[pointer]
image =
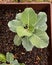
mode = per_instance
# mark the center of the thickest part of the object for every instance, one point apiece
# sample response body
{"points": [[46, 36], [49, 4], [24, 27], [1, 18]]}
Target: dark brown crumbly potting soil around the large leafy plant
{"points": [[34, 57]]}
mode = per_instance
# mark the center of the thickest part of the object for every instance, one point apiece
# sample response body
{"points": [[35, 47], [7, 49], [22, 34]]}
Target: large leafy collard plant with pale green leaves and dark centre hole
{"points": [[30, 29]]}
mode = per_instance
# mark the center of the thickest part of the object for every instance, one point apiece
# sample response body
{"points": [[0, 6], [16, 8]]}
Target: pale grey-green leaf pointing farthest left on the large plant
{"points": [[13, 25]]}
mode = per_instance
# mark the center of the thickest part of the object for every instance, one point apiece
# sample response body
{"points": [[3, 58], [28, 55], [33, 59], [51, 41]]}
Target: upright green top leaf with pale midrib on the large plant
{"points": [[29, 17]]}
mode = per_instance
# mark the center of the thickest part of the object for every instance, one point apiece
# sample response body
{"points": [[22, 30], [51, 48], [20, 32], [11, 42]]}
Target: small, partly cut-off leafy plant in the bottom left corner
{"points": [[9, 58]]}
